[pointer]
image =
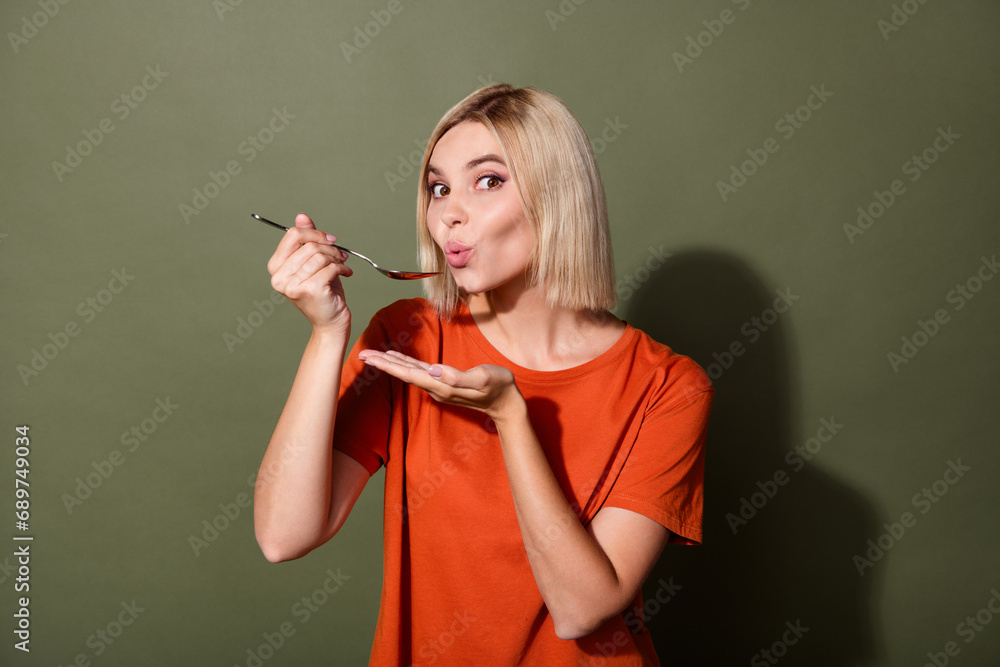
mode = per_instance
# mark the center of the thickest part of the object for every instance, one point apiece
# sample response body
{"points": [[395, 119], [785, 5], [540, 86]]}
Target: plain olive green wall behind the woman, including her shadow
{"points": [[667, 132]]}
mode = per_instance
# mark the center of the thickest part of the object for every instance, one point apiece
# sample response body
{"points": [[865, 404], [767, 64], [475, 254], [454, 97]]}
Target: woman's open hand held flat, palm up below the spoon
{"points": [[487, 388]]}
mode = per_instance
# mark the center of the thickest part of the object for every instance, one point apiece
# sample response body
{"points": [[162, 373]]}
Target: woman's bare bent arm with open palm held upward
{"points": [[585, 575]]}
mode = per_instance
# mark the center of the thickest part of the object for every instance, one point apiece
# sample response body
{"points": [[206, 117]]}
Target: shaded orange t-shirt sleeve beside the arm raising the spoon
{"points": [[364, 408]]}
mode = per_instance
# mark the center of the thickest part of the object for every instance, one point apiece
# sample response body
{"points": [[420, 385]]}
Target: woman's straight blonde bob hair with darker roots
{"points": [[551, 162]]}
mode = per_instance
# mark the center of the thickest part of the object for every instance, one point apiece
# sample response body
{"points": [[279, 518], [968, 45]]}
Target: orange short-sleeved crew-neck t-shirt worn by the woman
{"points": [[625, 429]]}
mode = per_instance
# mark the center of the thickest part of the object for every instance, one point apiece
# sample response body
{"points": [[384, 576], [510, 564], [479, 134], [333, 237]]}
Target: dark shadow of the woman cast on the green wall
{"points": [[775, 572]]}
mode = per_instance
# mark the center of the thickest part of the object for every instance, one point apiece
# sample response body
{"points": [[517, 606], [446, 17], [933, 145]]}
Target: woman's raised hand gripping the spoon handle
{"points": [[306, 268]]}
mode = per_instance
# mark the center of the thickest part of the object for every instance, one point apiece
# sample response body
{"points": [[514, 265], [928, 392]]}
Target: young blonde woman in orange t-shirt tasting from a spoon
{"points": [[539, 452]]}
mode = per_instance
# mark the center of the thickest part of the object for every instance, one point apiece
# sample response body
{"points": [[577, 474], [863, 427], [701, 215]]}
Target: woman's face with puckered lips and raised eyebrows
{"points": [[474, 215]]}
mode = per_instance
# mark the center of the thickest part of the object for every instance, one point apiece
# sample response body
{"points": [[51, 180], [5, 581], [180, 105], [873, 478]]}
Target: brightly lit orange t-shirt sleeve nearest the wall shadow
{"points": [[663, 477]]}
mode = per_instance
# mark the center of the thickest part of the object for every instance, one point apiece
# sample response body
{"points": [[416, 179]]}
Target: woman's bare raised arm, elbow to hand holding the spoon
{"points": [[305, 490]]}
